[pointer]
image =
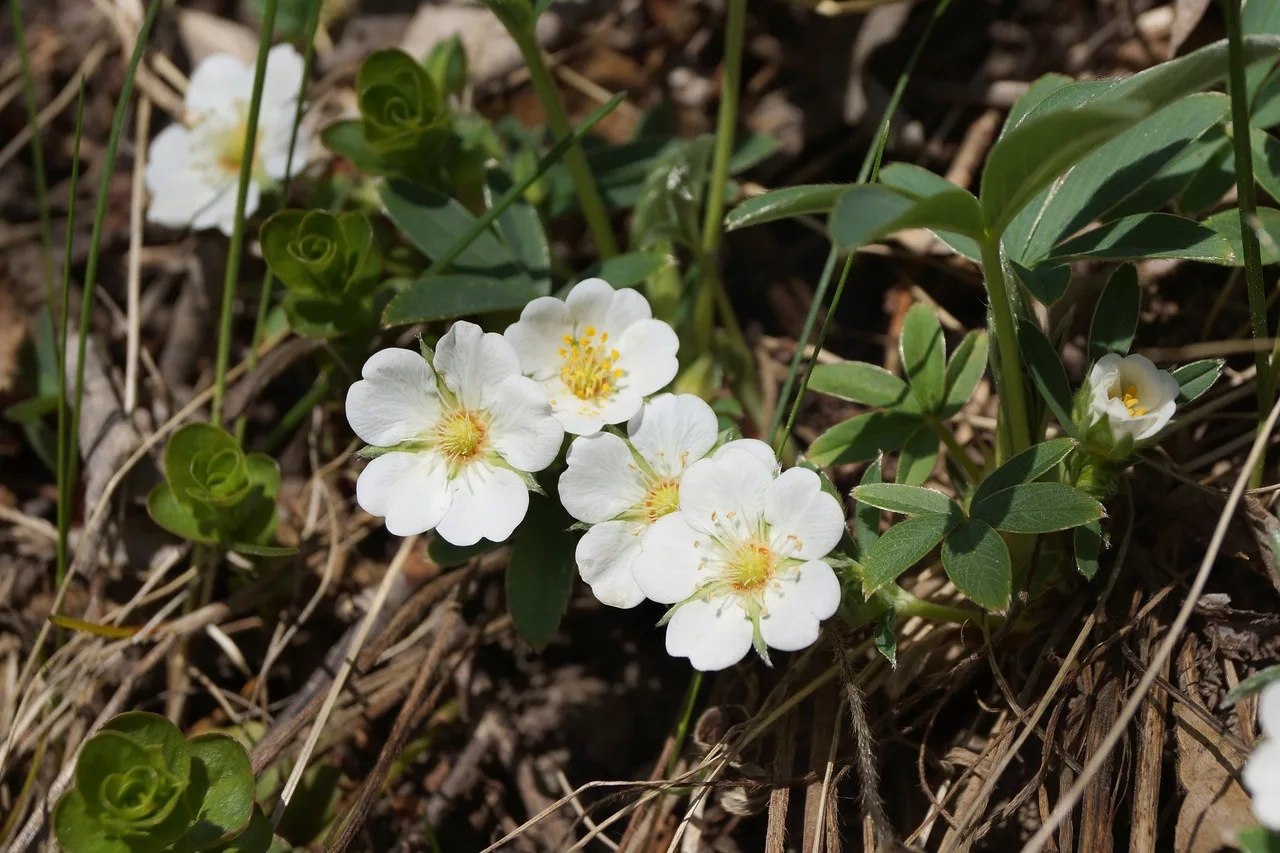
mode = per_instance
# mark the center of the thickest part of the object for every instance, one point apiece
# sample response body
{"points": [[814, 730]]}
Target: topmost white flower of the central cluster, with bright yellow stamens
{"points": [[598, 354]]}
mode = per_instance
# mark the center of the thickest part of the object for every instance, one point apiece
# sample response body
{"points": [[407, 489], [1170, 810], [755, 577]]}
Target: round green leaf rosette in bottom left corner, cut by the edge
{"points": [[140, 787]]}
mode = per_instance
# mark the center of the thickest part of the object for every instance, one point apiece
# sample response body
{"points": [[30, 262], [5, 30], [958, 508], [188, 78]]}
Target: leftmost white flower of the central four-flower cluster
{"points": [[465, 436]]}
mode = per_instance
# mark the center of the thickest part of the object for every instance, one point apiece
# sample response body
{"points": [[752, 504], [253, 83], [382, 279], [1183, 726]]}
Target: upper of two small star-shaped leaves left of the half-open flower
{"points": [[908, 413]]}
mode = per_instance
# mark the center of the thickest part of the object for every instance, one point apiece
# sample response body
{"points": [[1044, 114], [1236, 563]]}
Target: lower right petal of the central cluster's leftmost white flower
{"points": [[488, 504]]}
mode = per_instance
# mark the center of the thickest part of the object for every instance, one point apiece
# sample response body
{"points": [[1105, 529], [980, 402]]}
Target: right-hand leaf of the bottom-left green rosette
{"points": [[221, 792]]}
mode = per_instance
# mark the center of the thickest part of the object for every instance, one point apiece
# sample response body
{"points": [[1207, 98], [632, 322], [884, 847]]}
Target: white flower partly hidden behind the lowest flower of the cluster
{"points": [[621, 487]]}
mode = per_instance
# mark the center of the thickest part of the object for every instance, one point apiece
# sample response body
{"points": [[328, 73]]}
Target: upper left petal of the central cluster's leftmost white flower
{"points": [[396, 402]]}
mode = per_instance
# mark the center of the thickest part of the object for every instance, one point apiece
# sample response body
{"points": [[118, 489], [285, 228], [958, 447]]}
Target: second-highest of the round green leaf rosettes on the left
{"points": [[330, 267]]}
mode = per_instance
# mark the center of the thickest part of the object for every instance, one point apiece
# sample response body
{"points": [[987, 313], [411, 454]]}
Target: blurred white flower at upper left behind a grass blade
{"points": [[194, 171]]}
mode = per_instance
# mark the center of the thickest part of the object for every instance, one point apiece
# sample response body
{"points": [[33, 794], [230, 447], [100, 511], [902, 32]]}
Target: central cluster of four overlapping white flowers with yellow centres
{"points": [[674, 512]]}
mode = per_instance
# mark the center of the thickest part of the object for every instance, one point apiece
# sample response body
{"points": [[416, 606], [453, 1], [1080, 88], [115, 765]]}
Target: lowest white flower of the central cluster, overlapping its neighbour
{"points": [[743, 559]]}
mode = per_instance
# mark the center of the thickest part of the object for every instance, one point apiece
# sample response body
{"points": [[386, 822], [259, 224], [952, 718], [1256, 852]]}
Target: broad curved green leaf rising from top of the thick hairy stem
{"points": [[1043, 148]]}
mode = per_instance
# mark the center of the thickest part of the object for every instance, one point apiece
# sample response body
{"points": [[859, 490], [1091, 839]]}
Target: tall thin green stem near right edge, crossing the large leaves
{"points": [[1247, 206]]}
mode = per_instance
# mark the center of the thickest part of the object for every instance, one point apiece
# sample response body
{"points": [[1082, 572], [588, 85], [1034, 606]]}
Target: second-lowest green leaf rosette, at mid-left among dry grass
{"points": [[217, 494]]}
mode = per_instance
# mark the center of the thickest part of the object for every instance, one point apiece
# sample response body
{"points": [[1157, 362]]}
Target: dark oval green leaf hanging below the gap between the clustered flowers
{"points": [[541, 572]]}
